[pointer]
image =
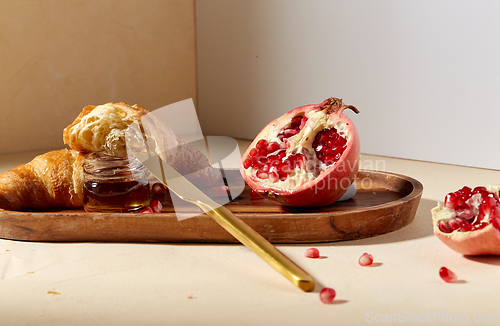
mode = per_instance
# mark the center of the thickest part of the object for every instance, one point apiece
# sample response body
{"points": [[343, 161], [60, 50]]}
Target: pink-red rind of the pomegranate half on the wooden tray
{"points": [[331, 184]]}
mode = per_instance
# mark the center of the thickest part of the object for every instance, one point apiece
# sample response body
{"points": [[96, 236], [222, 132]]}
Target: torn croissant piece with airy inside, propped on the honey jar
{"points": [[103, 128]]}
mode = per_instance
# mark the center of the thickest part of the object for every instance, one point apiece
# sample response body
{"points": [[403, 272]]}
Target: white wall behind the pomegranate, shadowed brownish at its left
{"points": [[424, 74]]}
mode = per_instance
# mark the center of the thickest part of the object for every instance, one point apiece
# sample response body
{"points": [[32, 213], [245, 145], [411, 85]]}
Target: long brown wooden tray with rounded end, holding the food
{"points": [[385, 202]]}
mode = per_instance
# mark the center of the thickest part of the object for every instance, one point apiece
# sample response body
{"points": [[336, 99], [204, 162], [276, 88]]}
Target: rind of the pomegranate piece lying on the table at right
{"points": [[485, 241]]}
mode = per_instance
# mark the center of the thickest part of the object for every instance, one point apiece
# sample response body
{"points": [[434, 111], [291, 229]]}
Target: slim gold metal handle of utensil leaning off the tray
{"points": [[258, 244]]}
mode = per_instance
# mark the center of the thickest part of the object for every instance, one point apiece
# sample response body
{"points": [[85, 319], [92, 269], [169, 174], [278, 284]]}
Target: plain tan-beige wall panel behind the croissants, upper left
{"points": [[58, 56]]}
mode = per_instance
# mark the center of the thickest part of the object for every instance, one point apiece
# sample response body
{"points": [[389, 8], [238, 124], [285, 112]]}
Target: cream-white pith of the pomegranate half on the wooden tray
{"points": [[317, 121]]}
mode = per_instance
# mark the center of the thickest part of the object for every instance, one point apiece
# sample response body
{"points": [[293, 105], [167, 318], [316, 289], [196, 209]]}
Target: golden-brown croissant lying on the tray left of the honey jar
{"points": [[53, 179]]}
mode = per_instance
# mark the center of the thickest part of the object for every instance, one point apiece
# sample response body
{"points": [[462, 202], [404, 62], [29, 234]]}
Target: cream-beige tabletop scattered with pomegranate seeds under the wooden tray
{"points": [[210, 284]]}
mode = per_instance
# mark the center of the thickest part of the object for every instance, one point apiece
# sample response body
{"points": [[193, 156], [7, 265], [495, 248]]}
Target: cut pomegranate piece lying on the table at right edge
{"points": [[469, 220]]}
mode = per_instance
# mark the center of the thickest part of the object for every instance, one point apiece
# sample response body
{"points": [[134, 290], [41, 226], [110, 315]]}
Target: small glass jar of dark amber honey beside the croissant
{"points": [[114, 184]]}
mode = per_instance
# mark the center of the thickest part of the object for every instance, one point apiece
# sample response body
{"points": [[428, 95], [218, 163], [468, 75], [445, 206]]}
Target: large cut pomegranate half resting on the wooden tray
{"points": [[307, 157]]}
